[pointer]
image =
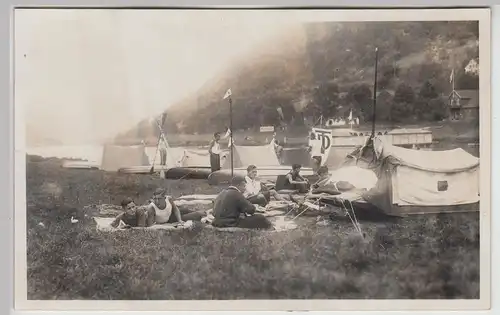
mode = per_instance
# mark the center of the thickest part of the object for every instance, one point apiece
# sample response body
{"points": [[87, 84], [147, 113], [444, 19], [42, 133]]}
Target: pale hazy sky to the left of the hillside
{"points": [[85, 75]]}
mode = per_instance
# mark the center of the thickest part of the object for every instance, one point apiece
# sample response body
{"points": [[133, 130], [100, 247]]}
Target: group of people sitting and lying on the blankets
{"points": [[235, 206]]}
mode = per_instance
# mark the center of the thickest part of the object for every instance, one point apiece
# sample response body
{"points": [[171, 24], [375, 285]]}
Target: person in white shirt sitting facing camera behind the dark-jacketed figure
{"points": [[255, 191]]}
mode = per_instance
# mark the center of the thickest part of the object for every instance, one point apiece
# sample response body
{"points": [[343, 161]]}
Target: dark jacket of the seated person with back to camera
{"points": [[228, 207]]}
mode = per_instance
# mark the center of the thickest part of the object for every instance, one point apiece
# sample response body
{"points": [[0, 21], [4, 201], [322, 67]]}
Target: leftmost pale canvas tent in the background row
{"points": [[115, 157]]}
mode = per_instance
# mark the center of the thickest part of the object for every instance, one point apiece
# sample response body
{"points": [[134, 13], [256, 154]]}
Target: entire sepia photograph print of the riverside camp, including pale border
{"points": [[249, 154]]}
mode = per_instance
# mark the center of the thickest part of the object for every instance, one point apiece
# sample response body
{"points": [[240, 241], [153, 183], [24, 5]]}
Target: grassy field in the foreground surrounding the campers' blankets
{"points": [[421, 257]]}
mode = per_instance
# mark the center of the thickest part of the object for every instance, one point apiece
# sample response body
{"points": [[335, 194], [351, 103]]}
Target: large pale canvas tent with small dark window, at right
{"points": [[417, 181]]}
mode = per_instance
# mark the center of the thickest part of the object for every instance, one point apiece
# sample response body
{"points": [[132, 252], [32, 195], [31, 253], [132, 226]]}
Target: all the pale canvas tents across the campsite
{"points": [[408, 181]]}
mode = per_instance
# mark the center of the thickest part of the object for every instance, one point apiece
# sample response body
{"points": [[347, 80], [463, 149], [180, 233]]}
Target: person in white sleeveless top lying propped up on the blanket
{"points": [[166, 211]]}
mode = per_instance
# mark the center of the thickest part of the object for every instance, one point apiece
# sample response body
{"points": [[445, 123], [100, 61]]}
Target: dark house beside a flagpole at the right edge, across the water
{"points": [[464, 104]]}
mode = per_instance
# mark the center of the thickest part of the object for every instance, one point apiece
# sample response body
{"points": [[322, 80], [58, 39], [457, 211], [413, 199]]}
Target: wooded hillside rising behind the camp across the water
{"points": [[328, 68]]}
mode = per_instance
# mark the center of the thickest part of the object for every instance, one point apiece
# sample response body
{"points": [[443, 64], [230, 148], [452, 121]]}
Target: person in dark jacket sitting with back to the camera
{"points": [[231, 209]]}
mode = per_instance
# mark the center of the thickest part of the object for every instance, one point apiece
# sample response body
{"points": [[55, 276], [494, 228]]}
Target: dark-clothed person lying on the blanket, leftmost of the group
{"points": [[134, 216]]}
